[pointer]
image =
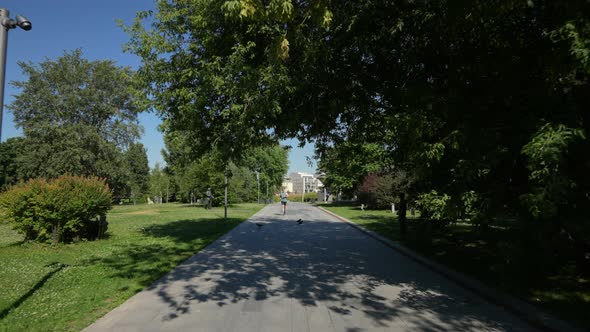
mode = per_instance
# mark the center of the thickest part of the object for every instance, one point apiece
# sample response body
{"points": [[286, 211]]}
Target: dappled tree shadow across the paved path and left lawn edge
{"points": [[318, 263]]}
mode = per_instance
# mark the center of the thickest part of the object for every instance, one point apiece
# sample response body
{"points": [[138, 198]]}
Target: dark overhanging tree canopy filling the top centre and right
{"points": [[479, 104]]}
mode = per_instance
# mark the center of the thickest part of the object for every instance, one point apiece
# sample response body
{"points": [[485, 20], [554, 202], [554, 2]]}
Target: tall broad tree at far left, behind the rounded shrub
{"points": [[77, 116]]}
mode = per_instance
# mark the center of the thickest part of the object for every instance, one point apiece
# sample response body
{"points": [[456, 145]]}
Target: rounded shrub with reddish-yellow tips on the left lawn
{"points": [[63, 209]]}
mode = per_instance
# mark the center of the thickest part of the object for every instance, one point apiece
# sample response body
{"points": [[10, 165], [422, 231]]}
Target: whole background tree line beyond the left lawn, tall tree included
{"points": [[79, 117]]}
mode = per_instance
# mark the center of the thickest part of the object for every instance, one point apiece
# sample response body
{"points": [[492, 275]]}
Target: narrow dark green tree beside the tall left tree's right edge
{"points": [[139, 170]]}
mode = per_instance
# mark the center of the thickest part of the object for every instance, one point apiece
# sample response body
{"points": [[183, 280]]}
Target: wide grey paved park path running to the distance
{"points": [[322, 275]]}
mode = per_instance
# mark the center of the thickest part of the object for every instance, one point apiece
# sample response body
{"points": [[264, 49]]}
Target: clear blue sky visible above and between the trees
{"points": [[64, 25]]}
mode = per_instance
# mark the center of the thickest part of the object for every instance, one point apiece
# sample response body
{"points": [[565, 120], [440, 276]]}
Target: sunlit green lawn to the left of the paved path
{"points": [[67, 287]]}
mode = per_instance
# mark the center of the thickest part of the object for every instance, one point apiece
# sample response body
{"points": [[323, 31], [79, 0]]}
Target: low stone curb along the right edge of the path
{"points": [[523, 310]]}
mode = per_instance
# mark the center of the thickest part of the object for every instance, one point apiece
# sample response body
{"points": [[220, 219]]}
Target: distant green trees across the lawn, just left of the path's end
{"points": [[187, 176]]}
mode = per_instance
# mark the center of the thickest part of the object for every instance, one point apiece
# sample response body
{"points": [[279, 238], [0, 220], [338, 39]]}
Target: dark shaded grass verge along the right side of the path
{"points": [[493, 256]]}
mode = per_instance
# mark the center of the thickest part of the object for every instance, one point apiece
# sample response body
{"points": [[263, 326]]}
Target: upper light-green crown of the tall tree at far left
{"points": [[74, 91]]}
